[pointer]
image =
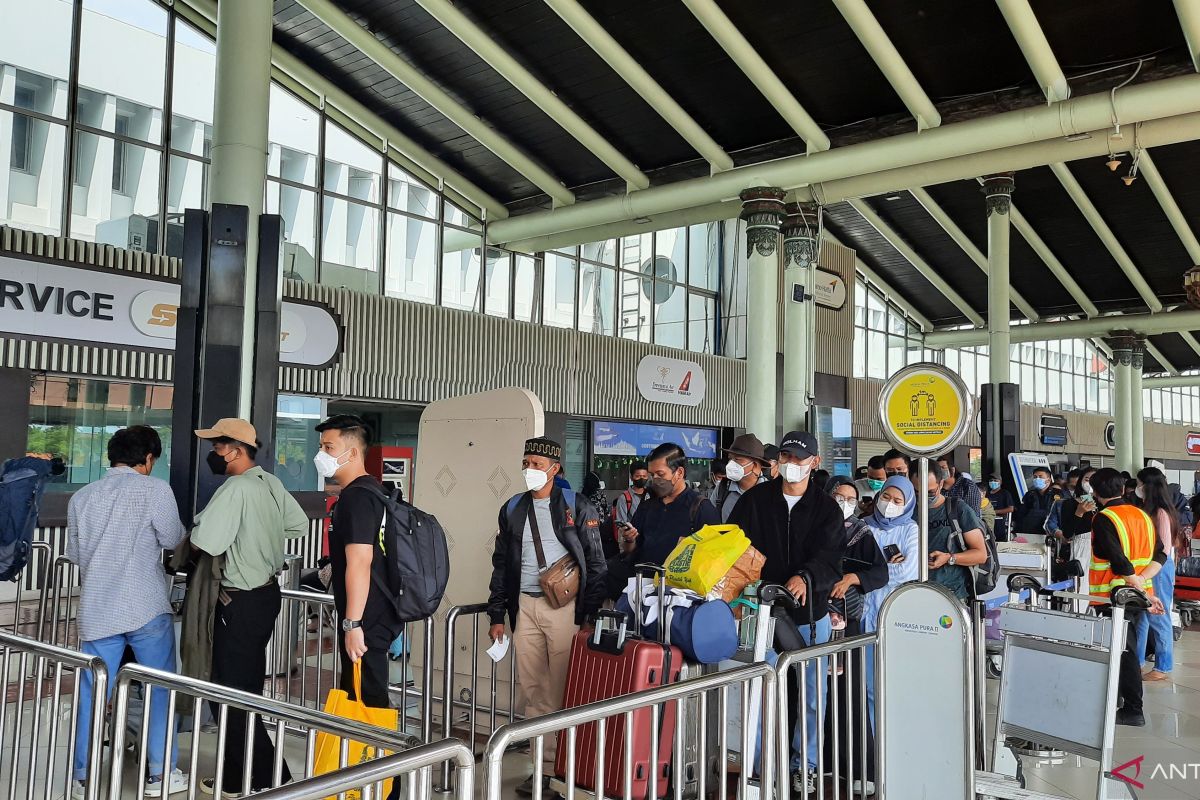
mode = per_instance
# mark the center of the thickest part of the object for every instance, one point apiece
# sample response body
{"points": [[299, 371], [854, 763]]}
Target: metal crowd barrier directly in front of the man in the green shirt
{"points": [[296, 731]]}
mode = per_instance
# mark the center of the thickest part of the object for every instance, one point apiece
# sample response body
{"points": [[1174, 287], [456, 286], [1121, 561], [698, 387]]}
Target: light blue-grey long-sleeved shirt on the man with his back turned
{"points": [[118, 528]]}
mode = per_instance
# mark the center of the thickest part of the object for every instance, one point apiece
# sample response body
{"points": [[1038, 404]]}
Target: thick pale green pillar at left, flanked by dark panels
{"points": [[238, 176]]}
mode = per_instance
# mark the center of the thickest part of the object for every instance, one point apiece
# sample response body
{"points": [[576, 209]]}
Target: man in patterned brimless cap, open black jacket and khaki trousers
{"points": [[537, 530]]}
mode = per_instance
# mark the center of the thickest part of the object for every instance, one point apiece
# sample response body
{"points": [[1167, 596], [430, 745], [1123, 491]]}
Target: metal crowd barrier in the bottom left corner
{"points": [[40, 715]]}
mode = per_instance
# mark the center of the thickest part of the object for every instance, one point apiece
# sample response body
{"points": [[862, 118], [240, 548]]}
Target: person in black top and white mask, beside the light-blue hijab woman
{"points": [[863, 573]]}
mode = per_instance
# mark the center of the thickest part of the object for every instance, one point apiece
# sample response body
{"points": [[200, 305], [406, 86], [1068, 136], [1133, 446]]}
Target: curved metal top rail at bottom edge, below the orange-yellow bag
{"points": [[381, 769]]}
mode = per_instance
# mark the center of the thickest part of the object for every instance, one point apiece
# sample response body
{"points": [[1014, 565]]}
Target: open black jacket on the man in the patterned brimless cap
{"points": [[578, 530]]}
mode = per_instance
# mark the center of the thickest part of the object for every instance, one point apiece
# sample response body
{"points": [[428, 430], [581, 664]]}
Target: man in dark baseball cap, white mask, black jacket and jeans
{"points": [[801, 532]]}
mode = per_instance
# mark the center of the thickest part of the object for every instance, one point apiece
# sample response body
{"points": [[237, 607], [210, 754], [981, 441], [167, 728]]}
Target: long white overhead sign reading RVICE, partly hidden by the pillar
{"points": [[109, 308]]}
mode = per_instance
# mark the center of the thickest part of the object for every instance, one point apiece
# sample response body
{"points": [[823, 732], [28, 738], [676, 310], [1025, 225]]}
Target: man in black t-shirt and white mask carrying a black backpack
{"points": [[359, 564]]}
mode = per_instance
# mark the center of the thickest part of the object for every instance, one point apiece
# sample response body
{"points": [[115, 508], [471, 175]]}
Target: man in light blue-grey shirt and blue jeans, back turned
{"points": [[117, 531]]}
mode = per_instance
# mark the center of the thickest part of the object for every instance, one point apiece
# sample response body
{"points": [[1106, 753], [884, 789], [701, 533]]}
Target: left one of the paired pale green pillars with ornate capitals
{"points": [[763, 209]]}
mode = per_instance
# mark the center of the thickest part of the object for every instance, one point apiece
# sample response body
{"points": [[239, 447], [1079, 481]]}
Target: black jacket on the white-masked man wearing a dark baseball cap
{"points": [[811, 539]]}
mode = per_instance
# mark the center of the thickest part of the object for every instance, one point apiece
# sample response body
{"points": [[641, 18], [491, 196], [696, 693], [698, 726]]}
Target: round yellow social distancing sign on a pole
{"points": [[926, 410]]}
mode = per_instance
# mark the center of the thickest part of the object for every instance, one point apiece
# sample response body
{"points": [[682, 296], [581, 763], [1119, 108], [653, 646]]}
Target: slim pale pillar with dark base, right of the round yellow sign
{"points": [[999, 193]]}
